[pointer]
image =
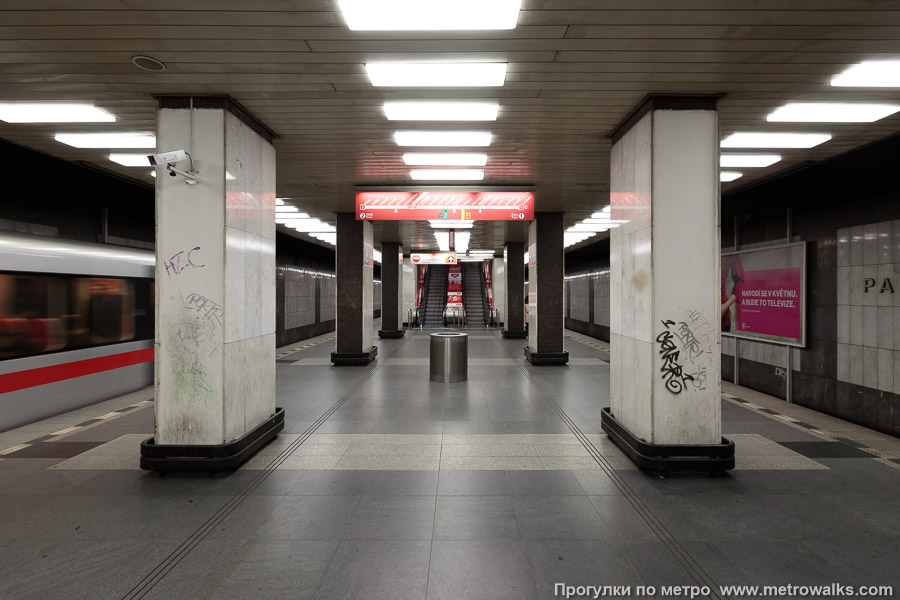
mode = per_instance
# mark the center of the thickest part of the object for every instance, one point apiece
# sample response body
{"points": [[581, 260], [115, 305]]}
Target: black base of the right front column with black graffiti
{"points": [[665, 458]]}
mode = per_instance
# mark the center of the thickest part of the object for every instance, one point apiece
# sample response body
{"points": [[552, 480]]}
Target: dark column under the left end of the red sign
{"points": [[355, 269]]}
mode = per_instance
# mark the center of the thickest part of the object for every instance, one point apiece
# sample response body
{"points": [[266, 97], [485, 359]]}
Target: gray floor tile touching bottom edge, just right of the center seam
{"points": [[493, 570]]}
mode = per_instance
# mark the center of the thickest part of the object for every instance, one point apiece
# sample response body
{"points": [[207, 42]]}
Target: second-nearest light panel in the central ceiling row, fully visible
{"points": [[436, 74]]}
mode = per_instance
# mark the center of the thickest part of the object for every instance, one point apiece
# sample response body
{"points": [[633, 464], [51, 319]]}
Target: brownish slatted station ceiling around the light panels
{"points": [[576, 68]]}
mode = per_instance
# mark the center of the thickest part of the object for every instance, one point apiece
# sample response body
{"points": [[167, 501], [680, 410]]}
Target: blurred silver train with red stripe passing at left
{"points": [[76, 325]]}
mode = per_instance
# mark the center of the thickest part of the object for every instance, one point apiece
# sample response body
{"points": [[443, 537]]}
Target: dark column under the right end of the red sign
{"points": [[546, 269]]}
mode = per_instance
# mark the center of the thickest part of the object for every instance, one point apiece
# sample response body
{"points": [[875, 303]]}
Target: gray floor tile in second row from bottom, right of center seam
{"points": [[475, 518]]}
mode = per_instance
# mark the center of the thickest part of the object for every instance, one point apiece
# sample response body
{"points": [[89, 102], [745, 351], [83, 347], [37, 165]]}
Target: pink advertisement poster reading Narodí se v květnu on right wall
{"points": [[763, 294]]}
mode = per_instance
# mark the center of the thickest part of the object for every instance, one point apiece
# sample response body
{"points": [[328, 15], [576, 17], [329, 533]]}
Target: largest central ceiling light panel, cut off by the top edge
{"points": [[398, 15]]}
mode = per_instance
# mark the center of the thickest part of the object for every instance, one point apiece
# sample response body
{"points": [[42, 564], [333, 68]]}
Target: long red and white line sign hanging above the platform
{"points": [[452, 206]]}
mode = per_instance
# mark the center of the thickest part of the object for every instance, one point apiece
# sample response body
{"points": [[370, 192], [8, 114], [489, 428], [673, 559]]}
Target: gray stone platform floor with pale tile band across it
{"points": [[411, 489]]}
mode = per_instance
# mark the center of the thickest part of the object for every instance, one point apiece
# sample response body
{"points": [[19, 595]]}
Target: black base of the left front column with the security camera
{"points": [[210, 458]]}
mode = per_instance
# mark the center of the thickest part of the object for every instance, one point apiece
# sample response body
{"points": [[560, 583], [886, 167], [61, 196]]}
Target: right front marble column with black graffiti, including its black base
{"points": [[664, 285]]}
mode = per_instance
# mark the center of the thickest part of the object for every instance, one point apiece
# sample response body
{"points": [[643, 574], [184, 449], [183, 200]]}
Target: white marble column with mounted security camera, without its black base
{"points": [[215, 275]]}
